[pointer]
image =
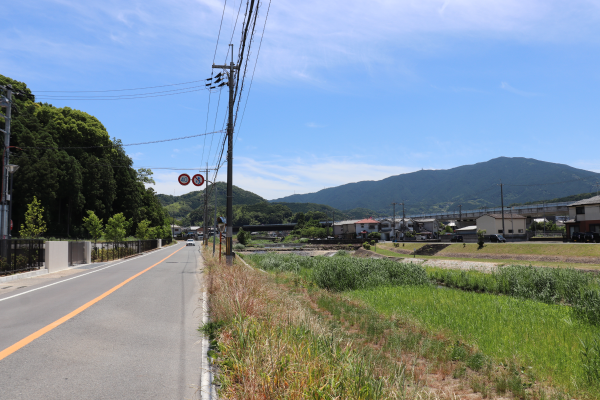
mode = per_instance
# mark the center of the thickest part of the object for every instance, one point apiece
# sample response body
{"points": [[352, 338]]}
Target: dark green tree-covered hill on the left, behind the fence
{"points": [[52, 147]]}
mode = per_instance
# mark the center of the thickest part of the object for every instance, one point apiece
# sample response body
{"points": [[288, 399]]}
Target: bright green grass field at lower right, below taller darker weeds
{"points": [[546, 339]]}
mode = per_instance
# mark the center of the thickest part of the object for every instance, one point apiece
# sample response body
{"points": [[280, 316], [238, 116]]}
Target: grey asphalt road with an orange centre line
{"points": [[139, 341]]}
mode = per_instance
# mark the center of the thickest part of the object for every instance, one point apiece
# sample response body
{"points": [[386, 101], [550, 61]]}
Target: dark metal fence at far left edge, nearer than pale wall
{"points": [[20, 255]]}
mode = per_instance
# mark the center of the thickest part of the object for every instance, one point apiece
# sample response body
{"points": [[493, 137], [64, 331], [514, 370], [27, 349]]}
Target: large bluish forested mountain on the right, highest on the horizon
{"points": [[472, 186]]}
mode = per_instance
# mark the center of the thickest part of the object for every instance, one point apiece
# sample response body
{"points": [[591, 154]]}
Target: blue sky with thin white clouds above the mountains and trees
{"points": [[343, 91]]}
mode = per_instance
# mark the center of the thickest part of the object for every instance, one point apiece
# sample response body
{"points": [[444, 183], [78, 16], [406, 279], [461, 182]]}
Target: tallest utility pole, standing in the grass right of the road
{"points": [[229, 70]]}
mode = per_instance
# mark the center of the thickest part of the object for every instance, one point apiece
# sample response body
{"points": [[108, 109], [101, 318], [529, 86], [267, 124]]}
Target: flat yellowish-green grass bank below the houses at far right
{"points": [[538, 249]]}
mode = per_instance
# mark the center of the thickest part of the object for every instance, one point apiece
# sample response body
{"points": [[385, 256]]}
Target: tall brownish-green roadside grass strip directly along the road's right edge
{"points": [[268, 343]]}
